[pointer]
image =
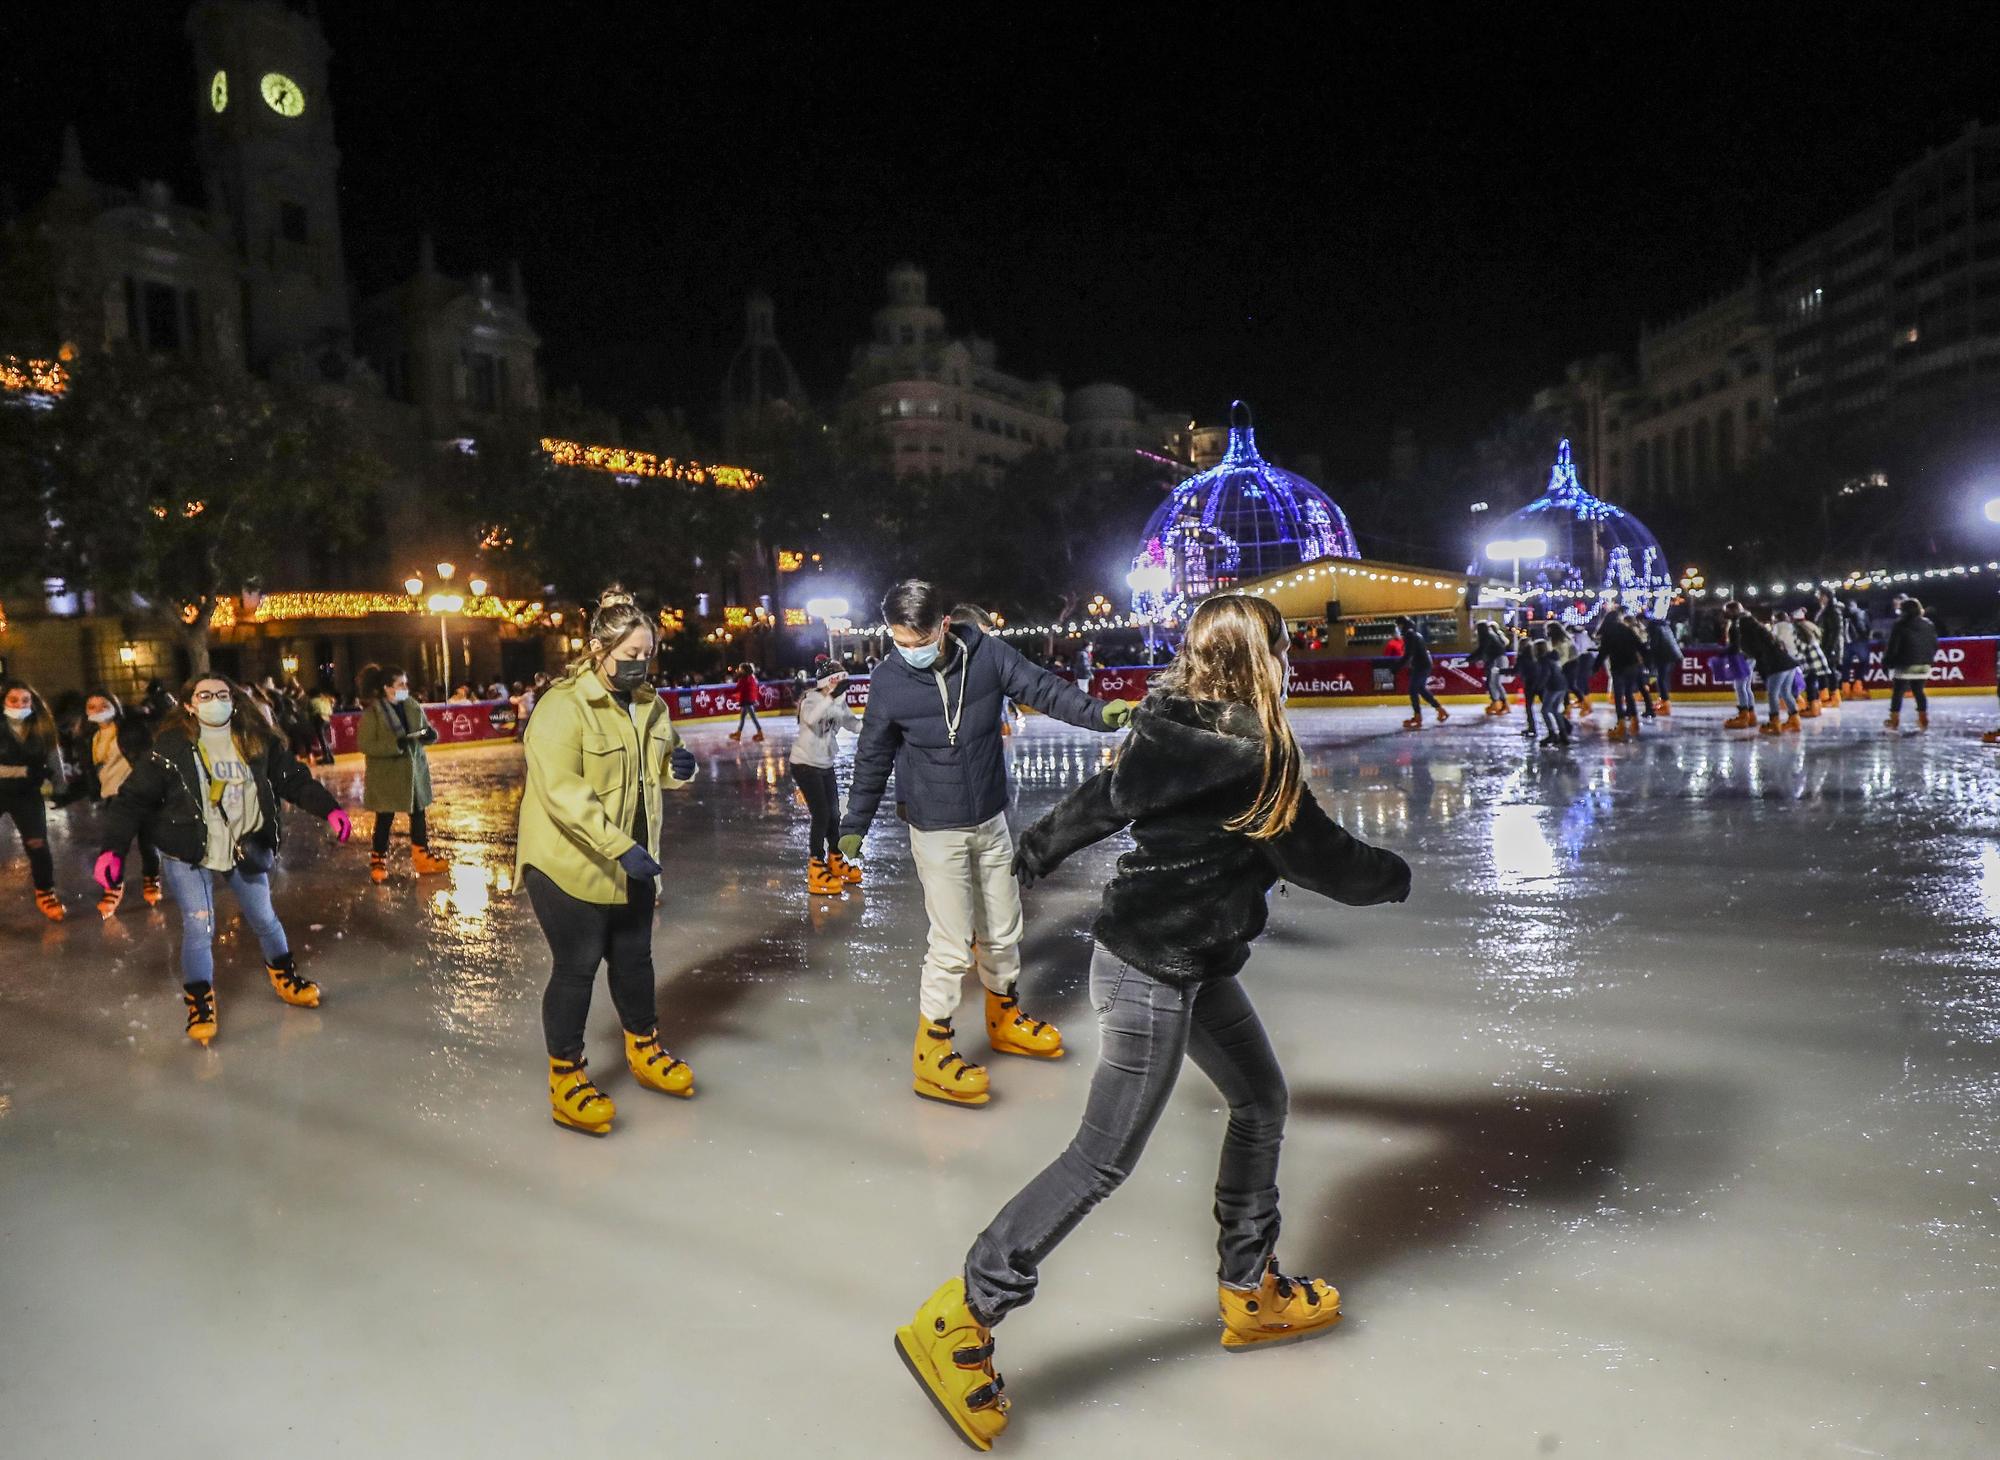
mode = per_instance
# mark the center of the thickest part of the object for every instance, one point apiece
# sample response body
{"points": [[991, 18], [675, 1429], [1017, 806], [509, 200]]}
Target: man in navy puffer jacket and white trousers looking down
{"points": [[935, 719]]}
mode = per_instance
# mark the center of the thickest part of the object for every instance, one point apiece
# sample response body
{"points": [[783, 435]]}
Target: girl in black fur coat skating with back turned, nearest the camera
{"points": [[1213, 791]]}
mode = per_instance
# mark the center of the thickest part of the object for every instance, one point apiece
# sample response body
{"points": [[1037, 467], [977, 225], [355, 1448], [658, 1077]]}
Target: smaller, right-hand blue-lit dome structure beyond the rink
{"points": [[1571, 545]]}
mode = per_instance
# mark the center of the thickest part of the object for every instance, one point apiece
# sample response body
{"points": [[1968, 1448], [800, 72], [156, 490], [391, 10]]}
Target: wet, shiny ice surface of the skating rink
{"points": [[1661, 1123]]}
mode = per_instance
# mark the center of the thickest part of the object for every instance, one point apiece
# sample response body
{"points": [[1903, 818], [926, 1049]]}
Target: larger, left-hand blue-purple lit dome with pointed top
{"points": [[1241, 519]]}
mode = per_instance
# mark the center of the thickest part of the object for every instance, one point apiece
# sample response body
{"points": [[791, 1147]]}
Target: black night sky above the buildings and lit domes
{"points": [[1353, 225]]}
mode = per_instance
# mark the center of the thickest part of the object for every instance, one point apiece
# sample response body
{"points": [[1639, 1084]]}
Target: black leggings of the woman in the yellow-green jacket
{"points": [[581, 937]]}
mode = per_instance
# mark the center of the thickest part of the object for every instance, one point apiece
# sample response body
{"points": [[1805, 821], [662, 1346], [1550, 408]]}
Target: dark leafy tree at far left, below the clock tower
{"points": [[175, 483]]}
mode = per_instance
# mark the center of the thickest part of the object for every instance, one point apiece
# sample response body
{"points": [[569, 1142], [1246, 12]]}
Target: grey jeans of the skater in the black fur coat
{"points": [[1147, 1027]]}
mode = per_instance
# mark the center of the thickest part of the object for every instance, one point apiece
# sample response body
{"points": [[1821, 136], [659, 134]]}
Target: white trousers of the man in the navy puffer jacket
{"points": [[975, 911]]}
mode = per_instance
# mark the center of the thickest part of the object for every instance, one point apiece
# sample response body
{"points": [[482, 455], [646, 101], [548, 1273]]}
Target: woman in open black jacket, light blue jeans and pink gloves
{"points": [[209, 795]]}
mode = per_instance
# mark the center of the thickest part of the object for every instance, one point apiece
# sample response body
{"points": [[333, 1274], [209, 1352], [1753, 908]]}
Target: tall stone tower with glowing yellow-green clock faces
{"points": [[271, 169]]}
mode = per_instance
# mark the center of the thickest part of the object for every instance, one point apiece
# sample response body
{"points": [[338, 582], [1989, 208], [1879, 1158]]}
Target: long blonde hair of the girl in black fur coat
{"points": [[1235, 653]]}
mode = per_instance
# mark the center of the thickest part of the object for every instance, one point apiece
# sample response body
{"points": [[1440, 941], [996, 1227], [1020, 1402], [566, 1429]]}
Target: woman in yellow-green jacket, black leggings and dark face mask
{"points": [[601, 747]]}
